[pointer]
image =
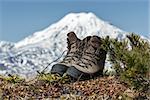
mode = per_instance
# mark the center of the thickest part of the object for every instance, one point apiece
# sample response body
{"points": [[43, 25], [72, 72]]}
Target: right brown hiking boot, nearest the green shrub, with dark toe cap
{"points": [[92, 60]]}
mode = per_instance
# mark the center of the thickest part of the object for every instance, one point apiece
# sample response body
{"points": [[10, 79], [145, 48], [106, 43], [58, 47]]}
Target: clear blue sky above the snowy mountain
{"points": [[20, 18]]}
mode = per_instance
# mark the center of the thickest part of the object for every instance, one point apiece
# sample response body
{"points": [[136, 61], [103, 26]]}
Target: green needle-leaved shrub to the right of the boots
{"points": [[131, 60]]}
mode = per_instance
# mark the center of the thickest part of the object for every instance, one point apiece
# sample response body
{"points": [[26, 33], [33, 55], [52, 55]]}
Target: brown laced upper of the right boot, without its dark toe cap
{"points": [[93, 58]]}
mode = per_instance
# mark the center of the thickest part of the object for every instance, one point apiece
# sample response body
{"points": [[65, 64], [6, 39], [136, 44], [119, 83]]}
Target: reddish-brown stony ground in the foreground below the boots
{"points": [[101, 88]]}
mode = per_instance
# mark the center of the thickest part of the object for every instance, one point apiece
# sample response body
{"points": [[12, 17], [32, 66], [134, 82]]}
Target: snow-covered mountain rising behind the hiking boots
{"points": [[35, 52]]}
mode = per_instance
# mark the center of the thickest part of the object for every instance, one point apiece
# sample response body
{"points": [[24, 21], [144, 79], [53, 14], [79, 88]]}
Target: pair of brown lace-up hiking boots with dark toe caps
{"points": [[84, 60]]}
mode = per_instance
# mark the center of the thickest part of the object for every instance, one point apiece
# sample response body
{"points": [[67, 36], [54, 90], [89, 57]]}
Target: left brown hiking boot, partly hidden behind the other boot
{"points": [[73, 49]]}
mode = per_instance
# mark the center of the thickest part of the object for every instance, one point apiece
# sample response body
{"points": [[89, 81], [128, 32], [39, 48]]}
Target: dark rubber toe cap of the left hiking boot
{"points": [[59, 68]]}
